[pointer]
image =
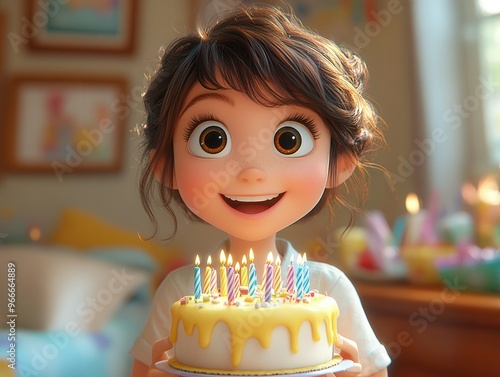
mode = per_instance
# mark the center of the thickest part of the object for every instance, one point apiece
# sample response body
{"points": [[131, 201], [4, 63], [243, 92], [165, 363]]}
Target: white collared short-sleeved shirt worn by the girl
{"points": [[352, 322]]}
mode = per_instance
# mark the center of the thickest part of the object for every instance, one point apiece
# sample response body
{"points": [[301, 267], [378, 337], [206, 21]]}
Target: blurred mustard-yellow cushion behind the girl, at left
{"points": [[80, 230]]}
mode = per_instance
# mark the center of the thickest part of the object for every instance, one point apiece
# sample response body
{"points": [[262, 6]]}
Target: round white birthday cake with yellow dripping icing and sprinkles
{"points": [[254, 334]]}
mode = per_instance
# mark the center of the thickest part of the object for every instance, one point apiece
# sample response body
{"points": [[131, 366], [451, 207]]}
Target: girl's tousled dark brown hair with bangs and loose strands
{"points": [[268, 54]]}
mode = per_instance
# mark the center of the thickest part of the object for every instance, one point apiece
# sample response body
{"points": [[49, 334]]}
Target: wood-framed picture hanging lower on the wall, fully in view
{"points": [[65, 124]]}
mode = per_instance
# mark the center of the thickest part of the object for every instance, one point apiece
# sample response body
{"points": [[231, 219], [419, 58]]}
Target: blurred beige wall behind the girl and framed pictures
{"points": [[385, 42]]}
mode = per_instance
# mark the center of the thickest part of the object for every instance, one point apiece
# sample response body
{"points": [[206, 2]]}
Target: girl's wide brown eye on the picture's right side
{"points": [[293, 140]]}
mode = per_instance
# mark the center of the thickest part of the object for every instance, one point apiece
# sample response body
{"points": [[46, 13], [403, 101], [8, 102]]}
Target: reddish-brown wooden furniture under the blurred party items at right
{"points": [[435, 331]]}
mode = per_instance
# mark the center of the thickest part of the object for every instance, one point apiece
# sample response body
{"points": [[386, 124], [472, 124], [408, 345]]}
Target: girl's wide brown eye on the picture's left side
{"points": [[210, 140]]}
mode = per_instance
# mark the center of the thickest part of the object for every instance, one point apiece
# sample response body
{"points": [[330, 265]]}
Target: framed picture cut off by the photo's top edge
{"points": [[103, 26]]}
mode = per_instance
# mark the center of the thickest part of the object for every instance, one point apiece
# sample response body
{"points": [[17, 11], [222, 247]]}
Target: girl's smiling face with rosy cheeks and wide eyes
{"points": [[247, 169]]}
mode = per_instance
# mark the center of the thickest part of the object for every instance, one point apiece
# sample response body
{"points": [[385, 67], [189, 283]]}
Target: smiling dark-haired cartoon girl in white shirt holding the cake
{"points": [[251, 125]]}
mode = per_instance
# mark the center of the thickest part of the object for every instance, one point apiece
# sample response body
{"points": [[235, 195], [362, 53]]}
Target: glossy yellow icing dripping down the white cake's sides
{"points": [[260, 322]]}
